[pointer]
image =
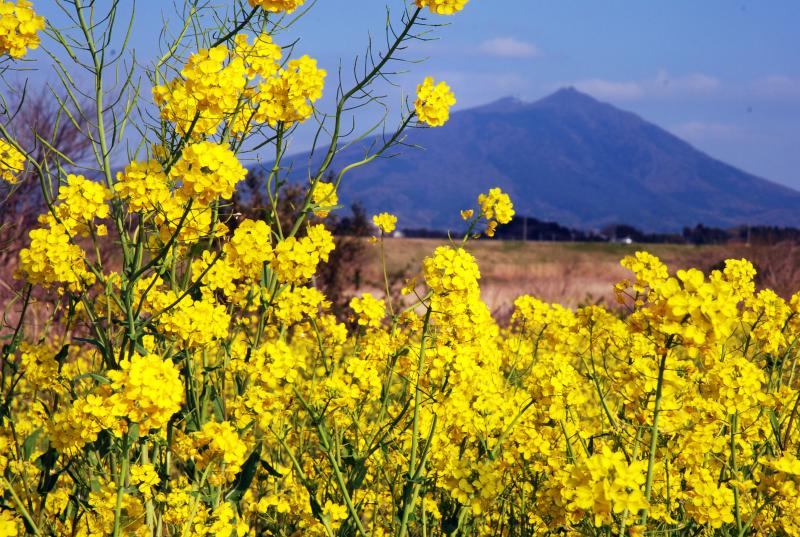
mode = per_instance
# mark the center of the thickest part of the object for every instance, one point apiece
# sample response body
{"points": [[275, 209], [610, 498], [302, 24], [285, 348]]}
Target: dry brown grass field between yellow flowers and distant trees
{"points": [[577, 273]]}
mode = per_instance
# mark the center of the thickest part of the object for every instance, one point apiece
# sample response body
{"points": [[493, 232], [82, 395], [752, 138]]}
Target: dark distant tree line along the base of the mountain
{"points": [[532, 229]]}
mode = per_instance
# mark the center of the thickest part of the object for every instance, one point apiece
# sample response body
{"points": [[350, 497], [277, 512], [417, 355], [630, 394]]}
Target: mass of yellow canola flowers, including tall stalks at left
{"points": [[204, 387]]}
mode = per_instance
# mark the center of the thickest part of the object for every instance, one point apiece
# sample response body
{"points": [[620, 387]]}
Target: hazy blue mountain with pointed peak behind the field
{"points": [[567, 158]]}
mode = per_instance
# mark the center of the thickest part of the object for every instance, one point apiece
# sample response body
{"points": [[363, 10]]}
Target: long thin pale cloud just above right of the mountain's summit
{"points": [[662, 85]]}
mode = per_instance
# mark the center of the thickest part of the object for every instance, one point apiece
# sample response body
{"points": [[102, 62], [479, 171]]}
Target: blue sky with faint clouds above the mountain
{"points": [[722, 74]]}
